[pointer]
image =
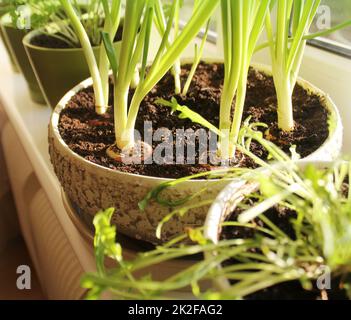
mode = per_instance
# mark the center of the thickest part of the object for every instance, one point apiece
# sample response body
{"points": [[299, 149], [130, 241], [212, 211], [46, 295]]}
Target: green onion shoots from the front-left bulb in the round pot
{"points": [[135, 47]]}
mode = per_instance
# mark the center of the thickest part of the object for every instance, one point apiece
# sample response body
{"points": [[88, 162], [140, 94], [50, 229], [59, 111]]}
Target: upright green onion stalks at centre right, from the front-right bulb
{"points": [[243, 22]]}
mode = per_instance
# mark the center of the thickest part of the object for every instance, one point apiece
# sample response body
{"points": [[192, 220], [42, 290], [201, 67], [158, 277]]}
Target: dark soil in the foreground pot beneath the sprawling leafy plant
{"points": [[292, 290]]}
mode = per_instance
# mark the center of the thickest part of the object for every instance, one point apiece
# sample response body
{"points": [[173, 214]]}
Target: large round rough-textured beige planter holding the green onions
{"points": [[92, 187]]}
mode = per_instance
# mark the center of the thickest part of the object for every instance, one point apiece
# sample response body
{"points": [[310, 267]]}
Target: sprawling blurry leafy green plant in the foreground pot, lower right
{"points": [[320, 242]]}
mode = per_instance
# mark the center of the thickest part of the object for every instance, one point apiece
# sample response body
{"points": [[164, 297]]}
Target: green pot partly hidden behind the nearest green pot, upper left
{"points": [[14, 37]]}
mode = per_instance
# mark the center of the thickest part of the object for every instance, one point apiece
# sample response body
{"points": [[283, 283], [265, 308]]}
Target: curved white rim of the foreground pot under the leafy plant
{"points": [[218, 212]]}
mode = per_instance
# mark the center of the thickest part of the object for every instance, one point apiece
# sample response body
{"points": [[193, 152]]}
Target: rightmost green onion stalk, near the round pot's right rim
{"points": [[287, 54]]}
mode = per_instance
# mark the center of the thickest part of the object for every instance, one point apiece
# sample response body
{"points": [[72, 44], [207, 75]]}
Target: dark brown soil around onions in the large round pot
{"points": [[90, 135]]}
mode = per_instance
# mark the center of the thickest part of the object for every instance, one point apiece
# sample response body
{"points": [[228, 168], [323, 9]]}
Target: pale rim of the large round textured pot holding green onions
{"points": [[334, 123]]}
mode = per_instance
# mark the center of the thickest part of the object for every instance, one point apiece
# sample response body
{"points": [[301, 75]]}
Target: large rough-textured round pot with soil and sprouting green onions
{"points": [[95, 154]]}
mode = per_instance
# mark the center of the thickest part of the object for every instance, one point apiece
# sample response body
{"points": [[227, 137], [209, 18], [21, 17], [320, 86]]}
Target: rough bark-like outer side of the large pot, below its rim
{"points": [[91, 192]]}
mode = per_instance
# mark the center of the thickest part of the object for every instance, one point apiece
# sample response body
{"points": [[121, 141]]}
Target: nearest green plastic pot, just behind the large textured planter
{"points": [[57, 70]]}
